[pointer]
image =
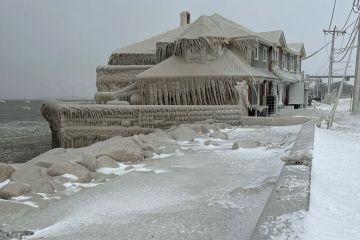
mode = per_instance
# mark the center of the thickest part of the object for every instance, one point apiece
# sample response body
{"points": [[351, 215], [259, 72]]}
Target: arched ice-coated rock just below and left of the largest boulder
{"points": [[81, 172]]}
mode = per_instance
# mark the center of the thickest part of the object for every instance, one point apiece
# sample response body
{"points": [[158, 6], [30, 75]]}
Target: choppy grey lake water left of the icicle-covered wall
{"points": [[24, 133]]}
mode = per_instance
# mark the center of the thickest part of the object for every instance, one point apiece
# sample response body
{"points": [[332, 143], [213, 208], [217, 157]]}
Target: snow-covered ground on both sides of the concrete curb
{"points": [[208, 191]]}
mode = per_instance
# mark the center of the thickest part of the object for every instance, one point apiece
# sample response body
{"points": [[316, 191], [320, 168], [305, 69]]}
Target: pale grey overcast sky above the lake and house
{"points": [[50, 49]]}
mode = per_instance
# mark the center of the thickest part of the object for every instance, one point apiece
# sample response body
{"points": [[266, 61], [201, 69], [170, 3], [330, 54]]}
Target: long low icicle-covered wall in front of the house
{"points": [[77, 125]]}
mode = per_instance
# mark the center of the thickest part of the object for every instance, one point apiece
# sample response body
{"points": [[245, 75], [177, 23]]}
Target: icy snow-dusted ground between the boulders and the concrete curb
{"points": [[198, 191]]}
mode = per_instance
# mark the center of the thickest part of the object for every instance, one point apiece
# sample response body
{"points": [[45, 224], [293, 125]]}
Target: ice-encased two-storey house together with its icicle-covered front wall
{"points": [[210, 69]]}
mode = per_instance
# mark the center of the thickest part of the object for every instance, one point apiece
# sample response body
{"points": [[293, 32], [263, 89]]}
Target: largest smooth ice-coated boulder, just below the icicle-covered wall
{"points": [[119, 148]]}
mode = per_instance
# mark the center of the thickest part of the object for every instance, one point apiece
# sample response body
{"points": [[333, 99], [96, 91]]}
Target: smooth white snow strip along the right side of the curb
{"points": [[335, 186]]}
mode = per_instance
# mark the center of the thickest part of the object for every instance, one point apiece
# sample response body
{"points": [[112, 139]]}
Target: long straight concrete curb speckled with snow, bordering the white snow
{"points": [[292, 191]]}
